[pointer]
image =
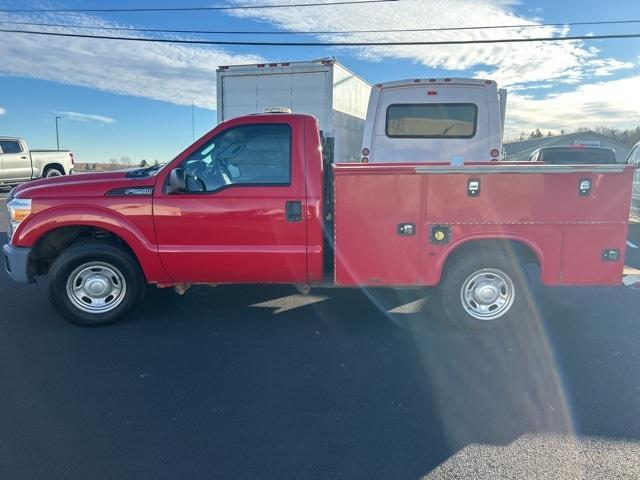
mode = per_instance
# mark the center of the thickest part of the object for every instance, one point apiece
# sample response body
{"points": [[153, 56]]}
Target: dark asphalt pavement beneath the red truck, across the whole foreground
{"points": [[260, 382]]}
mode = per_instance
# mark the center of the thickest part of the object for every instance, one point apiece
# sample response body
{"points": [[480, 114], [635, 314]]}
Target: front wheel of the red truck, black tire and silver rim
{"points": [[95, 283]]}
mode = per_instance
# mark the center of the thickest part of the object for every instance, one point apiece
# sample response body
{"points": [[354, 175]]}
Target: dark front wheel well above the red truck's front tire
{"points": [[54, 242]]}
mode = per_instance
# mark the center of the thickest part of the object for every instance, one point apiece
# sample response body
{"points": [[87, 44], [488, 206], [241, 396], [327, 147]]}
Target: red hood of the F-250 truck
{"points": [[79, 185]]}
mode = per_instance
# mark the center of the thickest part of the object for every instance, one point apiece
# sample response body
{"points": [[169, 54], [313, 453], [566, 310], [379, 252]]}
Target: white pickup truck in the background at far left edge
{"points": [[19, 164]]}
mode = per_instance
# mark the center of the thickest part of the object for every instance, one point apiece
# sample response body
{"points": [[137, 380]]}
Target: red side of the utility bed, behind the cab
{"points": [[541, 210]]}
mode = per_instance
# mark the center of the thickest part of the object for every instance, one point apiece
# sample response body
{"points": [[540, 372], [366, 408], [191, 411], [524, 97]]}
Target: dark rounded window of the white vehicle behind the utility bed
{"points": [[432, 120]]}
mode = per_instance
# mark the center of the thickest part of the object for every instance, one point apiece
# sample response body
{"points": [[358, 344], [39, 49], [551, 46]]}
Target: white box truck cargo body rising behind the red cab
{"points": [[337, 97]]}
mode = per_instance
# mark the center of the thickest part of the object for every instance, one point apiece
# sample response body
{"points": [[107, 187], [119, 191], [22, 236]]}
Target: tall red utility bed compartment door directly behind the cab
{"points": [[369, 210]]}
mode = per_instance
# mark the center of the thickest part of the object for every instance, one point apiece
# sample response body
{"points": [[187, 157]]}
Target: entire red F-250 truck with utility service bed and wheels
{"points": [[253, 201]]}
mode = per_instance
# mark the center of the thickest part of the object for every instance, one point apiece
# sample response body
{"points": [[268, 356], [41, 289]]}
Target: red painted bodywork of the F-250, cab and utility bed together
{"points": [[239, 234]]}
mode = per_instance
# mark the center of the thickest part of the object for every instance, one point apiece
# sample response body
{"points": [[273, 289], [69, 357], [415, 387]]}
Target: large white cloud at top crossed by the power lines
{"points": [[509, 64]]}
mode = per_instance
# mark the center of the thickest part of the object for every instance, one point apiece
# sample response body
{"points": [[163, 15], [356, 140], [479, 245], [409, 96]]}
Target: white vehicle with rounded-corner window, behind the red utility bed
{"points": [[441, 120]]}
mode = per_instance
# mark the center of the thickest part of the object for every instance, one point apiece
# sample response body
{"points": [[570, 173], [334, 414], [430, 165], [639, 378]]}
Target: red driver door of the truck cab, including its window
{"points": [[240, 219]]}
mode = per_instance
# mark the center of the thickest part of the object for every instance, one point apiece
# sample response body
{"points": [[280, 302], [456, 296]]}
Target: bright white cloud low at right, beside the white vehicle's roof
{"points": [[613, 104]]}
